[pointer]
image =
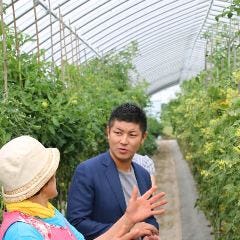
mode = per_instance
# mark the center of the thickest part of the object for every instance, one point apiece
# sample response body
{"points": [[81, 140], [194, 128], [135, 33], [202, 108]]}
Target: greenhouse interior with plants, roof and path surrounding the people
{"points": [[66, 64]]}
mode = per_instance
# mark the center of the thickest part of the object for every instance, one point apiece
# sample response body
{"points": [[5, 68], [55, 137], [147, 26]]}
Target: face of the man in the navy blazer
{"points": [[124, 140]]}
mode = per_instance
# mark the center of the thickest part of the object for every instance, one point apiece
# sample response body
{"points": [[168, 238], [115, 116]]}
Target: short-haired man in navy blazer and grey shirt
{"points": [[102, 185]]}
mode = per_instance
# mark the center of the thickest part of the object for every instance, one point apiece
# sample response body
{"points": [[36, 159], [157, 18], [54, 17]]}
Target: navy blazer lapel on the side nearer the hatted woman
{"points": [[114, 181]]}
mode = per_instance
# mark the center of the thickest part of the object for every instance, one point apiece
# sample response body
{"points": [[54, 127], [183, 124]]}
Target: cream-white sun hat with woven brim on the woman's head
{"points": [[25, 167]]}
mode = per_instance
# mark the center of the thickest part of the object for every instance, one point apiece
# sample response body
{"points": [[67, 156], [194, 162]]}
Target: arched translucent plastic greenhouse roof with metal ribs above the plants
{"points": [[168, 32]]}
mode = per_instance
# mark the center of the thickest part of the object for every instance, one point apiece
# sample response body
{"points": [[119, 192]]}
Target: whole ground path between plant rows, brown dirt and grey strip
{"points": [[181, 221]]}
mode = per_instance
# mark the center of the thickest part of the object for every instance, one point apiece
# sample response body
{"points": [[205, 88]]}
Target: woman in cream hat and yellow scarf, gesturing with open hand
{"points": [[27, 174]]}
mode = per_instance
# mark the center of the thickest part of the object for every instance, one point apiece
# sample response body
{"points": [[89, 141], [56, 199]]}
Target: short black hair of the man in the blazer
{"points": [[129, 112]]}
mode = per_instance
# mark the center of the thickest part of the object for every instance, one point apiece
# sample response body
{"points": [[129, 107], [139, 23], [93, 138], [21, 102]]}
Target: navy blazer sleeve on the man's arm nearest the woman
{"points": [[79, 209]]}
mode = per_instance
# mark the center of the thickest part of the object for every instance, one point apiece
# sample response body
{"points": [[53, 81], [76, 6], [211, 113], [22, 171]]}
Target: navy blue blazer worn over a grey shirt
{"points": [[96, 200]]}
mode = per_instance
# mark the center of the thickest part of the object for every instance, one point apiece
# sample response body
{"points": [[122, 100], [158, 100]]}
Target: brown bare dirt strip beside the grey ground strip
{"points": [[170, 223]]}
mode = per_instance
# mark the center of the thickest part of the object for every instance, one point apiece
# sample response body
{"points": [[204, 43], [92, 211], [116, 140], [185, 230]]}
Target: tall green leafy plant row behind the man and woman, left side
{"points": [[65, 107]]}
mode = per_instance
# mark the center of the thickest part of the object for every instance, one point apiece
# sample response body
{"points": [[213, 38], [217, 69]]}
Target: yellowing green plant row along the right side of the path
{"points": [[205, 118]]}
